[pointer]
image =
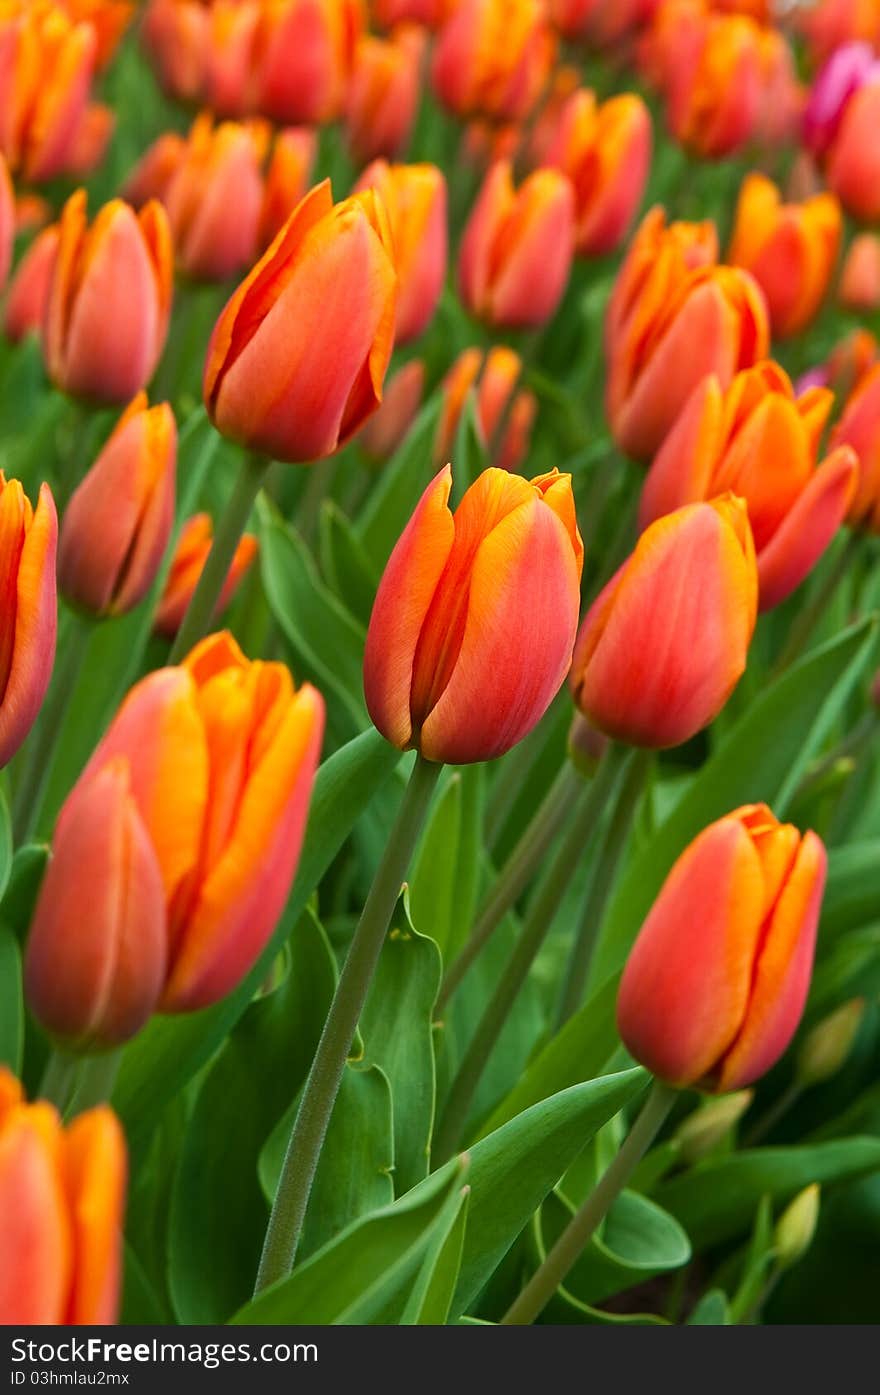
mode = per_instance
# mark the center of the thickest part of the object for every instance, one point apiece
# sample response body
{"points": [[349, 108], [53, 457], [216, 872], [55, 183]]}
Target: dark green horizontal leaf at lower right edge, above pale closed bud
{"points": [[716, 1200]]}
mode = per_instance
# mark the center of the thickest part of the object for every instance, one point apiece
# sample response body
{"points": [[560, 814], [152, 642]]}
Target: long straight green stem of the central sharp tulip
{"points": [[324, 1079]]}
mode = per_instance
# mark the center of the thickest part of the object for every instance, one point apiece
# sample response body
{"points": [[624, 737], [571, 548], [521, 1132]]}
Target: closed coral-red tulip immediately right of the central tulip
{"points": [[665, 645]]}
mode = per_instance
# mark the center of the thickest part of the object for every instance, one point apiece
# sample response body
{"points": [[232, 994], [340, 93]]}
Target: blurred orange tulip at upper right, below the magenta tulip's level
{"points": [[790, 249]]}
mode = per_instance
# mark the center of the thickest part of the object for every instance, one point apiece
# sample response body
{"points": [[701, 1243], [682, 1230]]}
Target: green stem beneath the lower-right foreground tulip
{"points": [[581, 1230]]}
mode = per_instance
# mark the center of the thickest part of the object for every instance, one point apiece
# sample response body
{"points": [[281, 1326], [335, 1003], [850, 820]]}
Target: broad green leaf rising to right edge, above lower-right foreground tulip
{"points": [[761, 760]]}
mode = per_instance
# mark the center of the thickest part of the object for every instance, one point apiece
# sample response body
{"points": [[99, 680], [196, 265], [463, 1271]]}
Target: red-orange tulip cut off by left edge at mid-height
{"points": [[29, 614]]}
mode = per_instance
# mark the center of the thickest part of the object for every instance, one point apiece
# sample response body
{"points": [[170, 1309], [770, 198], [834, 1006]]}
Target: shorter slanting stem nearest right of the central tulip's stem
{"points": [[517, 874]]}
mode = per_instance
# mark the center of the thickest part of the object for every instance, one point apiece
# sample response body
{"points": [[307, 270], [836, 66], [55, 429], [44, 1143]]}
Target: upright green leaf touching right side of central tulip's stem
{"points": [[398, 1037]]}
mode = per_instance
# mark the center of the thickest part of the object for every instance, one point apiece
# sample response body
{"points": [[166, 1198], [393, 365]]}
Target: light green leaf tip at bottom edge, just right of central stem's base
{"points": [[366, 1274]]}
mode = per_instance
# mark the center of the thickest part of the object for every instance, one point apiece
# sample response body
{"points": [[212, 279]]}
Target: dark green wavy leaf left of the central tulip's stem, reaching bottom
{"points": [[218, 1210]]}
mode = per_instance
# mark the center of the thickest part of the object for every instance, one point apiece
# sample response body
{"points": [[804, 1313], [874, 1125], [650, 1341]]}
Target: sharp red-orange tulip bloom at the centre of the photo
{"points": [[472, 630]]}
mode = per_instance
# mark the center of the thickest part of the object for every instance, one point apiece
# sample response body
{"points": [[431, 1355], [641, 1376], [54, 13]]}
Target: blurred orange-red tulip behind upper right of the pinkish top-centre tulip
{"points": [[607, 153]]}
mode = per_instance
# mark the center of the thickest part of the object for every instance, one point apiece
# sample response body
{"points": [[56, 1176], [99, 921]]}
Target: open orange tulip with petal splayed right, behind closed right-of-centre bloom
{"points": [[762, 443]]}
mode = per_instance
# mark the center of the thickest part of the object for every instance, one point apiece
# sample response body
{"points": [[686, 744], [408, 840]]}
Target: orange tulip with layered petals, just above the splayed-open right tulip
{"points": [[669, 327]]}
